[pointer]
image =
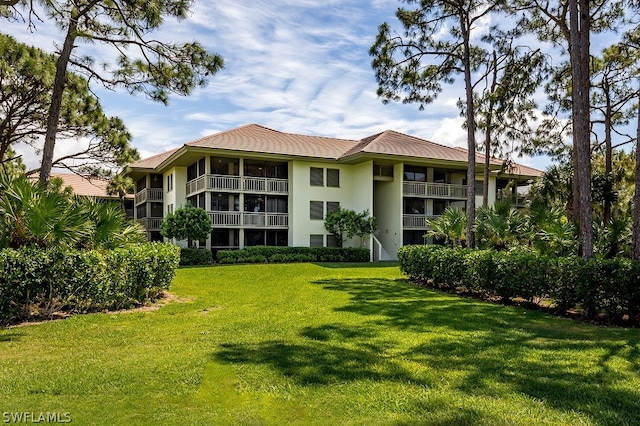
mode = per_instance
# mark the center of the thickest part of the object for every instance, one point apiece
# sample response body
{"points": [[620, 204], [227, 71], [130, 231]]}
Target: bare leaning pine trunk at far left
{"points": [[56, 102]]}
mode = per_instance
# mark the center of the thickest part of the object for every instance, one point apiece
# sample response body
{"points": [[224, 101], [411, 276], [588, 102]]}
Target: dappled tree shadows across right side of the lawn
{"points": [[481, 349]]}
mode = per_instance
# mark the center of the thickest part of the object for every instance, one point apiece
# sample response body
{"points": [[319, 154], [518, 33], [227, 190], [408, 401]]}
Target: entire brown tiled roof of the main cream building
{"points": [[254, 138]]}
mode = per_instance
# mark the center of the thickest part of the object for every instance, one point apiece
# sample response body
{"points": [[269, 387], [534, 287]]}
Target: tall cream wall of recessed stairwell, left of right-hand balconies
{"points": [[388, 213]]}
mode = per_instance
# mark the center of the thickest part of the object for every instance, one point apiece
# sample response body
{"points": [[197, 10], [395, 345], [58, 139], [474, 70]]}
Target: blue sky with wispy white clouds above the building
{"points": [[299, 66]]}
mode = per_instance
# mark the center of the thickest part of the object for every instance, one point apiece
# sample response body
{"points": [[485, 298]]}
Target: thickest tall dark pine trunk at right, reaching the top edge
{"points": [[580, 28]]}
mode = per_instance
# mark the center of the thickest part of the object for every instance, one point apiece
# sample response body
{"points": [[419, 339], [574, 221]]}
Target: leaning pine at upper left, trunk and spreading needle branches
{"points": [[143, 63]]}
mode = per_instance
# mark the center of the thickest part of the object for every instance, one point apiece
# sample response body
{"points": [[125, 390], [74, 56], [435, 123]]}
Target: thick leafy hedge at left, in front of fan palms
{"points": [[38, 282]]}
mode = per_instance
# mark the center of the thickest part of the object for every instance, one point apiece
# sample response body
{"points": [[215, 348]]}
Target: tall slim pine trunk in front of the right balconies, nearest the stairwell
{"points": [[471, 138]]}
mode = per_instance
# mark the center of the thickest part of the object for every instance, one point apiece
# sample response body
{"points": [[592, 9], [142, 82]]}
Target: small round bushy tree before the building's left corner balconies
{"points": [[187, 223]]}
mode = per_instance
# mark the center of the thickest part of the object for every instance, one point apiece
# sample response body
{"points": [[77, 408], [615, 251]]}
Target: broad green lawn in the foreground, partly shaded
{"points": [[321, 344]]}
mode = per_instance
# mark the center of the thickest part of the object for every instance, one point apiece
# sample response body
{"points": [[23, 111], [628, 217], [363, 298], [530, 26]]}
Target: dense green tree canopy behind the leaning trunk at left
{"points": [[26, 83]]}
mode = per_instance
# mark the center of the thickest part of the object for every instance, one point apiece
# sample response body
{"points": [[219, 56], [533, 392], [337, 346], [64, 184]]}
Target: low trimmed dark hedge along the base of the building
{"points": [[272, 254]]}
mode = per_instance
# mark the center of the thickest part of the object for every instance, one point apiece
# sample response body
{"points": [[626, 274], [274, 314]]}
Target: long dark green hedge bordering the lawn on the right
{"points": [[597, 286]]}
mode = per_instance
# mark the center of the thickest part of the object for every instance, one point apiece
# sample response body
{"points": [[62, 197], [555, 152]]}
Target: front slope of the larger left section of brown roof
{"points": [[256, 138]]}
